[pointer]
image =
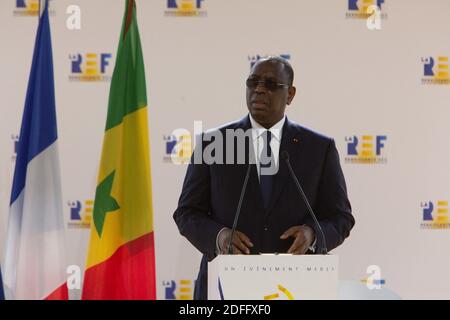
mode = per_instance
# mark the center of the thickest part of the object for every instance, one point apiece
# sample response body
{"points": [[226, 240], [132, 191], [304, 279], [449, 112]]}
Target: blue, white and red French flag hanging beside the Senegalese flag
{"points": [[35, 266]]}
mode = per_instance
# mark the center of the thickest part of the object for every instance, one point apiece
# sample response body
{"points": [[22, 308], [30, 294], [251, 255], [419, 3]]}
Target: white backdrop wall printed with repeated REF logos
{"points": [[351, 81]]}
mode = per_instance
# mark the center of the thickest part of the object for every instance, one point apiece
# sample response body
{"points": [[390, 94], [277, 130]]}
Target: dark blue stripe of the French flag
{"points": [[39, 128]]}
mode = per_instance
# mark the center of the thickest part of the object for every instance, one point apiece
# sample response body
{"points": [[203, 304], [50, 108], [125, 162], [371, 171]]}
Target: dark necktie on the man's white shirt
{"points": [[267, 162]]}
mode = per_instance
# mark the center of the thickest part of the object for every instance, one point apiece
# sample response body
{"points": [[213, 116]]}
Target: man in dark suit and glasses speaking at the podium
{"points": [[273, 217]]}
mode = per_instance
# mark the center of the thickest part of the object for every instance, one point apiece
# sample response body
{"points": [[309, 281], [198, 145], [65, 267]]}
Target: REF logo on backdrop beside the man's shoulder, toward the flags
{"points": [[178, 147]]}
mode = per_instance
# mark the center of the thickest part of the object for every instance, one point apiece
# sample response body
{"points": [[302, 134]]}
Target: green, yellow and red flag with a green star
{"points": [[121, 258]]}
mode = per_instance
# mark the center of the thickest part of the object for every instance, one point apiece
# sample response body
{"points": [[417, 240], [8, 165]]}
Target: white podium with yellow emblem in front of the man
{"points": [[273, 277]]}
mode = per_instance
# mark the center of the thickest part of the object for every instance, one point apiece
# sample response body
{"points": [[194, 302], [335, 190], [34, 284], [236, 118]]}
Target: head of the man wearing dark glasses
{"points": [[269, 90]]}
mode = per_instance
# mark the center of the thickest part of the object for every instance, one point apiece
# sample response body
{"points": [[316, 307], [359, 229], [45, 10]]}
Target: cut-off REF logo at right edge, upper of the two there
{"points": [[435, 70]]}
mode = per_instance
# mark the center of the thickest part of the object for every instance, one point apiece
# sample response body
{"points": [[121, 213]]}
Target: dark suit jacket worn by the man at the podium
{"points": [[211, 193]]}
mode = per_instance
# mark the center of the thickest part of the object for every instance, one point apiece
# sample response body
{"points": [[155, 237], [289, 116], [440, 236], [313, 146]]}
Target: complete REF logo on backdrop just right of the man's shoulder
{"points": [[366, 149]]}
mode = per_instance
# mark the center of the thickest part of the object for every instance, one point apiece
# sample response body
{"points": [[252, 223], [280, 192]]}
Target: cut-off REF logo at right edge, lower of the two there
{"points": [[435, 215]]}
